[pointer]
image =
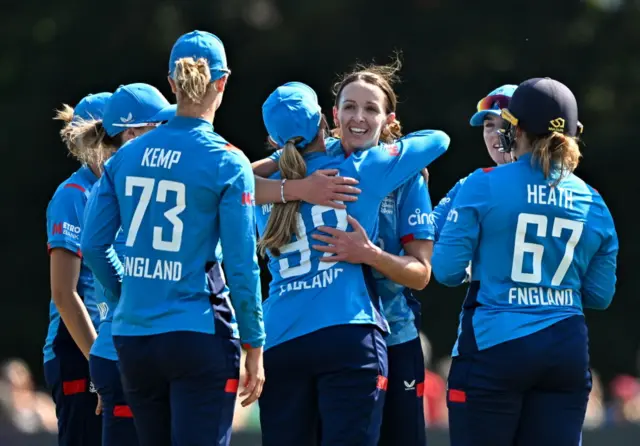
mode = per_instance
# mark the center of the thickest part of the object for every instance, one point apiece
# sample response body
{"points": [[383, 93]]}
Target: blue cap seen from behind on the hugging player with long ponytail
{"points": [[292, 111]]}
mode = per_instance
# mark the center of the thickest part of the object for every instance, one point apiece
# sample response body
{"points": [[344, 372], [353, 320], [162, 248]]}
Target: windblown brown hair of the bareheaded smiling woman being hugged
{"points": [[383, 77]]}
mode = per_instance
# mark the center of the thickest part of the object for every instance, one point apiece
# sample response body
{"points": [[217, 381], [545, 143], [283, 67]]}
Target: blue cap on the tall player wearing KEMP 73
{"points": [[200, 44]]}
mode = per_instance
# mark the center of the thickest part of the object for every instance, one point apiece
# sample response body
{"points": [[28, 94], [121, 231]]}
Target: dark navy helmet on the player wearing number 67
{"points": [[543, 105]]}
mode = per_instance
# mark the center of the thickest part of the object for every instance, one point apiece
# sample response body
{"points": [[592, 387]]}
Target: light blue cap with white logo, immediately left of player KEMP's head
{"points": [[135, 105]]}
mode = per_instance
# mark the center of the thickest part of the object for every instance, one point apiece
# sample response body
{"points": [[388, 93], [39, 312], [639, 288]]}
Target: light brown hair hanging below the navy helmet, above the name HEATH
{"points": [[556, 153]]}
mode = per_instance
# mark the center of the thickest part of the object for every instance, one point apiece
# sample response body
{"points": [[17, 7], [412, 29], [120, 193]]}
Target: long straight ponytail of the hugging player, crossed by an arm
{"points": [[283, 220]]}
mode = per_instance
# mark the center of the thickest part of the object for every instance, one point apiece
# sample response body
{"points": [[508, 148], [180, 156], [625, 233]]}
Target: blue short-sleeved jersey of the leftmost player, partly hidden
{"points": [[65, 215]]}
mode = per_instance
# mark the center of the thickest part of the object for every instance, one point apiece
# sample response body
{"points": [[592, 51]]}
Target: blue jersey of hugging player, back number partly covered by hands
{"points": [[306, 295]]}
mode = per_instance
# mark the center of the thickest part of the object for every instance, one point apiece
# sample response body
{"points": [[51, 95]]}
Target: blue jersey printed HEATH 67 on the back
{"points": [[540, 253]]}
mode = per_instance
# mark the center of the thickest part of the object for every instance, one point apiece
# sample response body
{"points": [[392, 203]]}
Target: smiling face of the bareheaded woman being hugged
{"points": [[361, 115]]}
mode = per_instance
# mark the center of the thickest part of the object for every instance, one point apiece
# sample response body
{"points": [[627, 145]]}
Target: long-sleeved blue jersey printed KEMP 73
{"points": [[176, 192]]}
